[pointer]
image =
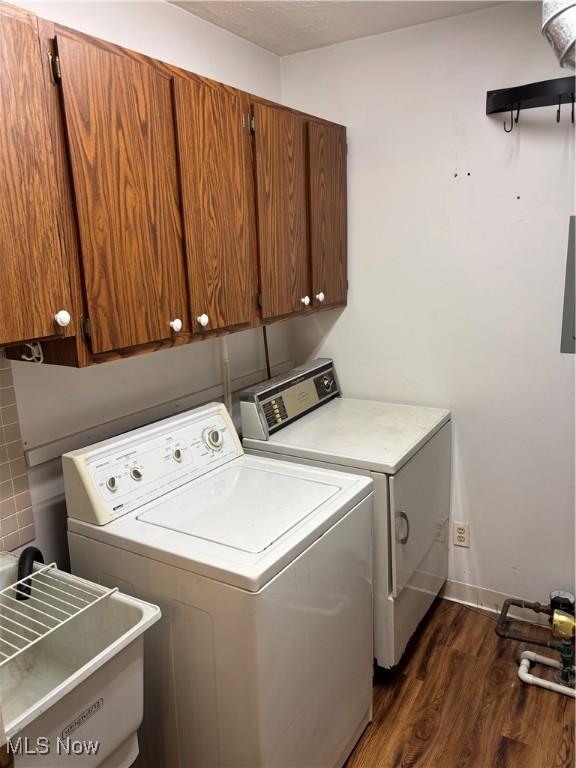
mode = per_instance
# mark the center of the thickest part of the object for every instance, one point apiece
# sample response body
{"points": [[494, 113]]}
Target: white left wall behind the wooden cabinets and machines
{"points": [[54, 401]]}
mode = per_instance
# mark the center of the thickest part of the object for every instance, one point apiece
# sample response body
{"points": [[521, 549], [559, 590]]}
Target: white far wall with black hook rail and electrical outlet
{"points": [[456, 282]]}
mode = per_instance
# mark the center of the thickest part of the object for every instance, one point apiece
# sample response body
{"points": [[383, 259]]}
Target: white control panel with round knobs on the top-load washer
{"points": [[116, 476]]}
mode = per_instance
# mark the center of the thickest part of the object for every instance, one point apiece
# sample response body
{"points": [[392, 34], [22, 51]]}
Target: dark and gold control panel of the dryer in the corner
{"points": [[272, 404]]}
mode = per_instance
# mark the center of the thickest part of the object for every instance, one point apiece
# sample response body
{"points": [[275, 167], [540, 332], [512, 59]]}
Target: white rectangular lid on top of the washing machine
{"points": [[240, 507]]}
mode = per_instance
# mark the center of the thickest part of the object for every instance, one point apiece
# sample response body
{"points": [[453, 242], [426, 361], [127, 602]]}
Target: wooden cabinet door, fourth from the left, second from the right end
{"points": [[281, 196]]}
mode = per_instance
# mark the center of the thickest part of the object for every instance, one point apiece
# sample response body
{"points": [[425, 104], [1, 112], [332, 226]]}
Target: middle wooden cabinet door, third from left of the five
{"points": [[217, 196]]}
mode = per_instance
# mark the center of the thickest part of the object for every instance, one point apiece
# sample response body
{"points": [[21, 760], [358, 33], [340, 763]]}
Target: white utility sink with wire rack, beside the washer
{"points": [[79, 689]]}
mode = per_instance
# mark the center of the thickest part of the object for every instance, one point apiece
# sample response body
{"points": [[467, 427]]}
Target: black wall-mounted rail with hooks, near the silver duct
{"points": [[546, 93]]}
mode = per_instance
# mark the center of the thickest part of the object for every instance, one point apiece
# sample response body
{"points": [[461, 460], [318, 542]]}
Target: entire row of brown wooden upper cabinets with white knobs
{"points": [[141, 196]]}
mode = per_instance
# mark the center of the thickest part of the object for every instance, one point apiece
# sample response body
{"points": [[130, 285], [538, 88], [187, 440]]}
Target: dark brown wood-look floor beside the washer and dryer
{"points": [[455, 701]]}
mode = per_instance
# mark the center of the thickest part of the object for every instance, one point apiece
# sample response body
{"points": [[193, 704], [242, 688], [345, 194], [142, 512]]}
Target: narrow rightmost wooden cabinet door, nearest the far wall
{"points": [[328, 230]]}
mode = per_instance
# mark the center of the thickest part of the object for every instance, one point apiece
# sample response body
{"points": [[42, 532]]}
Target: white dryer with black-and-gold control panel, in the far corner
{"points": [[302, 417]]}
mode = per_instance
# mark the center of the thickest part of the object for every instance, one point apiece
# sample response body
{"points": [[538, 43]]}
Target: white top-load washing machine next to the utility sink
{"points": [[263, 572]]}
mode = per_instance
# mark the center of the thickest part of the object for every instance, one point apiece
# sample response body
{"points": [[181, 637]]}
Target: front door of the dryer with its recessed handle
{"points": [[419, 509]]}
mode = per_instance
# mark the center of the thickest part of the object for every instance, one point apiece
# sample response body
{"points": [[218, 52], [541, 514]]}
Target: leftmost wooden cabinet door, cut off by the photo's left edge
{"points": [[34, 280]]}
